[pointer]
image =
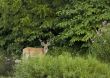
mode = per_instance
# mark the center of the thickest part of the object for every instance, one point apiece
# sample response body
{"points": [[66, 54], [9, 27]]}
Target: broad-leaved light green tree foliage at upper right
{"points": [[78, 23]]}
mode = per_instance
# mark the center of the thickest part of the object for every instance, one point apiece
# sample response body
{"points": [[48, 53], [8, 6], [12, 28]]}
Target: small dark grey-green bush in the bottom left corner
{"points": [[6, 66]]}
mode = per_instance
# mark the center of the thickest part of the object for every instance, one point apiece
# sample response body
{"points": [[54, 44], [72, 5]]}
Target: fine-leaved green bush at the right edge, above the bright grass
{"points": [[101, 45]]}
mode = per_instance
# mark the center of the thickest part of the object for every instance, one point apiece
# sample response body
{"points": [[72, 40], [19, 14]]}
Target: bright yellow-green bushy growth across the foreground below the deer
{"points": [[62, 66]]}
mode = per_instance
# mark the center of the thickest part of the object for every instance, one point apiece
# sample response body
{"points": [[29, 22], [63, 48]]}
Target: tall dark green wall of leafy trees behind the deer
{"points": [[64, 22]]}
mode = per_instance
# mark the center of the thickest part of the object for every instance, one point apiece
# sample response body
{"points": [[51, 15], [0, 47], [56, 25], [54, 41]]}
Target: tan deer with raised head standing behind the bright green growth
{"points": [[33, 52]]}
